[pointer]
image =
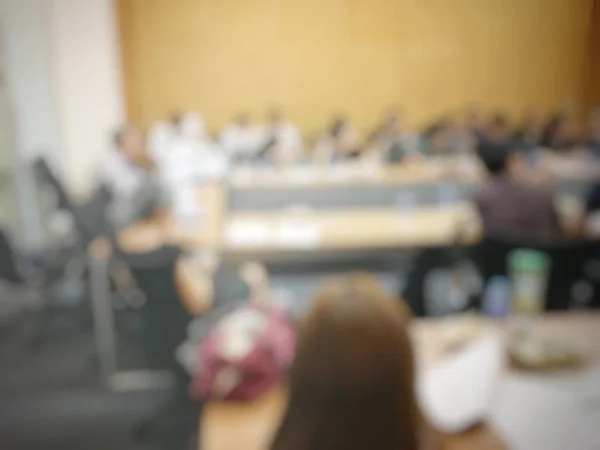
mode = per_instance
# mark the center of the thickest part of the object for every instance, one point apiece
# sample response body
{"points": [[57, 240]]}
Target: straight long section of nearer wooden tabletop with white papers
{"points": [[351, 229]]}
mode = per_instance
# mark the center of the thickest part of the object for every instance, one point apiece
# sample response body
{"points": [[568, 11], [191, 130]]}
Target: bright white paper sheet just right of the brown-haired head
{"points": [[457, 394]]}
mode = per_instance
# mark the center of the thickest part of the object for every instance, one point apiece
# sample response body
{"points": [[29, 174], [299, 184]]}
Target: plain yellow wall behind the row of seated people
{"points": [[319, 57]]}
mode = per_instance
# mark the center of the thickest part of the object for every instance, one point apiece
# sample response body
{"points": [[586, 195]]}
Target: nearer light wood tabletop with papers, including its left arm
{"points": [[261, 234]]}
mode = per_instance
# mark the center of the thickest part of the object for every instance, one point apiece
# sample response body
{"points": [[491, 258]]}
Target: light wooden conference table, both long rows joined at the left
{"points": [[336, 224]]}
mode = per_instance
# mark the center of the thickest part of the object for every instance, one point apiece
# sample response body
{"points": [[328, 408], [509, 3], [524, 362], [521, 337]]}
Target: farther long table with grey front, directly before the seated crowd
{"points": [[428, 181]]}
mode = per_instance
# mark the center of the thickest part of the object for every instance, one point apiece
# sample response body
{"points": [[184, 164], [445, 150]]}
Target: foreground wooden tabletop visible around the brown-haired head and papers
{"points": [[249, 426]]}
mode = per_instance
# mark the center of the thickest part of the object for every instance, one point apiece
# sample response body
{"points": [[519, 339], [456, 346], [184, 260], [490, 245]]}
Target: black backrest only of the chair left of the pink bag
{"points": [[165, 319]]}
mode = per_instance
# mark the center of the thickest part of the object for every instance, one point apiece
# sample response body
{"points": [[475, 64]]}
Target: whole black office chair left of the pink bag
{"points": [[165, 328]]}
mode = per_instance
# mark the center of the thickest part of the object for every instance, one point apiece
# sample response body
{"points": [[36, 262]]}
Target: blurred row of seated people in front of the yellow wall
{"points": [[182, 146]]}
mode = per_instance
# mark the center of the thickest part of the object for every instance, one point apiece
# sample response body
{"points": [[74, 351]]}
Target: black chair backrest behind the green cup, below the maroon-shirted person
{"points": [[567, 259]]}
